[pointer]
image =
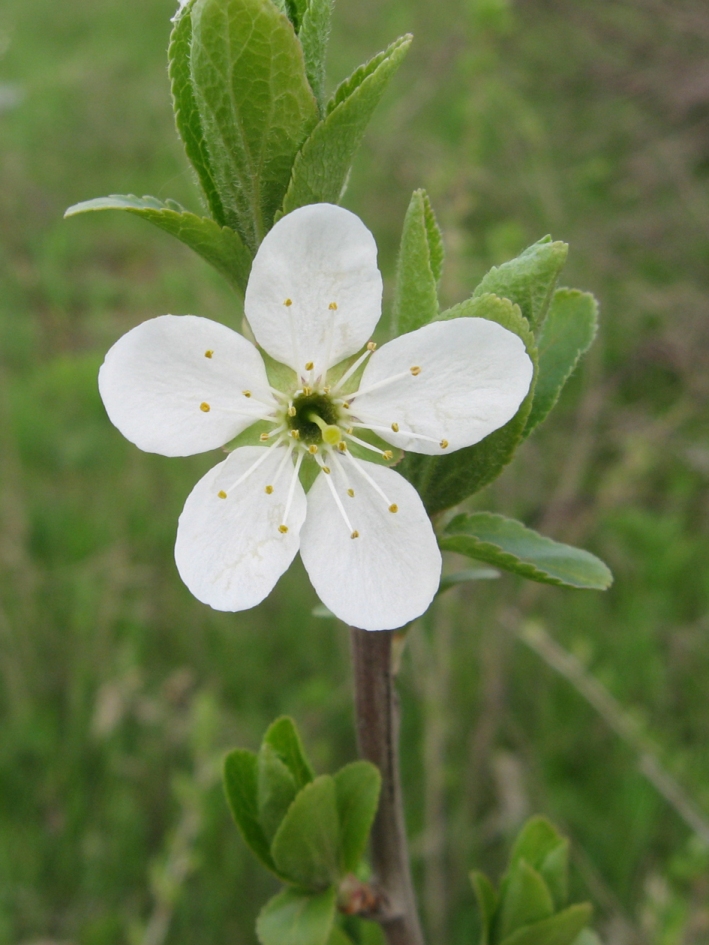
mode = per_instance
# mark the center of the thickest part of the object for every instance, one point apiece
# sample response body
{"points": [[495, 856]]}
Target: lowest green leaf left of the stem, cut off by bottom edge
{"points": [[297, 918]]}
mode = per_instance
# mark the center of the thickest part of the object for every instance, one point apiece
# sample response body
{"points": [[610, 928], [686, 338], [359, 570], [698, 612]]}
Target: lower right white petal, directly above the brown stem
{"points": [[389, 574]]}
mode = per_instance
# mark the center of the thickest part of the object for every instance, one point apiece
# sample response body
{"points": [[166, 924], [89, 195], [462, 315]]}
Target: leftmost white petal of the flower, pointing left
{"points": [[175, 385]]}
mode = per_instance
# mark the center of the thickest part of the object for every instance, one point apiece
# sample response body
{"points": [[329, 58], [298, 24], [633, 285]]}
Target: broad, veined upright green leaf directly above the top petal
{"points": [[255, 105]]}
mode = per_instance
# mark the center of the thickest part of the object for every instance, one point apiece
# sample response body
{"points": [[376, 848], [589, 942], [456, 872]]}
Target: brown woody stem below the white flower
{"points": [[377, 713]]}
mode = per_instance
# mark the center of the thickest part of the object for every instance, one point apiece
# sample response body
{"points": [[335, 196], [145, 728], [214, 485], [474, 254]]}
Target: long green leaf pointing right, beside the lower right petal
{"points": [[508, 544]]}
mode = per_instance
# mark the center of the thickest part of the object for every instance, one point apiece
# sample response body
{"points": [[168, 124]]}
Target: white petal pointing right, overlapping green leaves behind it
{"points": [[473, 376]]}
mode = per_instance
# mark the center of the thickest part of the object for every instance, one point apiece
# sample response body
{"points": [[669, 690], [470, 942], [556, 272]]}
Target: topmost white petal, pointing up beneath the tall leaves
{"points": [[315, 258]]}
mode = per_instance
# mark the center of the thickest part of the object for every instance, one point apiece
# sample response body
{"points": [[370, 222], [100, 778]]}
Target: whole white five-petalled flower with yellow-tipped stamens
{"points": [[183, 385]]}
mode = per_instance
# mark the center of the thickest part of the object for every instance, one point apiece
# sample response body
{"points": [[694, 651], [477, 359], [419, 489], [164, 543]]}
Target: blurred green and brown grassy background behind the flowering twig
{"points": [[119, 693]]}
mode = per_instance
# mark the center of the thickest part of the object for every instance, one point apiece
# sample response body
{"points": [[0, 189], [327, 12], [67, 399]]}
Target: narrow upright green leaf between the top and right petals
{"points": [[418, 267]]}
